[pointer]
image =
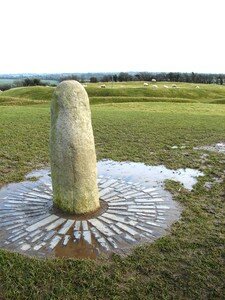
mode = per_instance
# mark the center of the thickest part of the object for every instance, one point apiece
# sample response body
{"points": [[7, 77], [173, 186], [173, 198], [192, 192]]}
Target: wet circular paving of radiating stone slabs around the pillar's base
{"points": [[131, 214]]}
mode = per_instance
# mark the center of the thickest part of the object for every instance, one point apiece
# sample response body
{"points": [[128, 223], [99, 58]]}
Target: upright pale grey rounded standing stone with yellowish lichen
{"points": [[72, 150]]}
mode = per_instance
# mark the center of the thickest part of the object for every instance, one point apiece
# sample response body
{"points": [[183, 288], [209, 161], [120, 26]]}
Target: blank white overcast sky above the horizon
{"points": [[112, 35]]}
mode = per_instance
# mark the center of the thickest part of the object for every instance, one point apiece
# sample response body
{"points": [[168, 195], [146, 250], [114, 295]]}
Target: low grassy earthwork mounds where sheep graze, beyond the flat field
{"points": [[125, 92]]}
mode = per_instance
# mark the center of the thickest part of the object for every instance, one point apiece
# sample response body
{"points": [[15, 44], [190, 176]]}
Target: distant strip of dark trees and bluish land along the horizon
{"points": [[36, 79]]}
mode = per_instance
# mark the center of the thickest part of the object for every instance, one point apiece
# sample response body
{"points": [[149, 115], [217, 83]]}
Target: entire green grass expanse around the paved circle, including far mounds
{"points": [[189, 263]]}
